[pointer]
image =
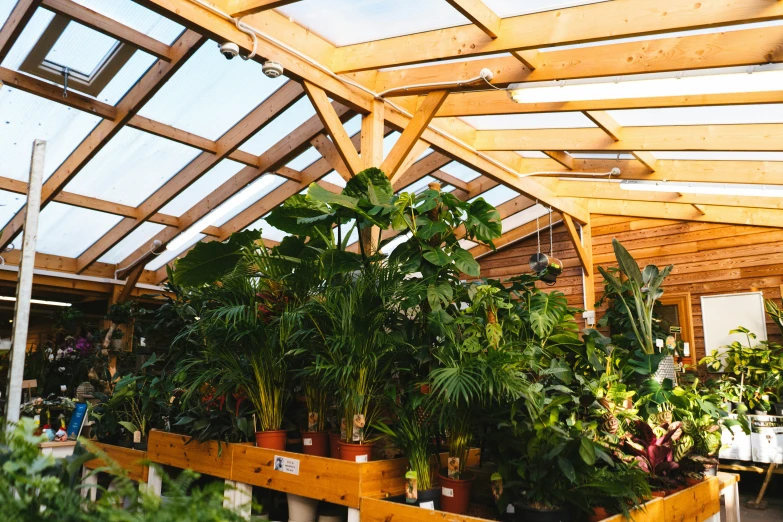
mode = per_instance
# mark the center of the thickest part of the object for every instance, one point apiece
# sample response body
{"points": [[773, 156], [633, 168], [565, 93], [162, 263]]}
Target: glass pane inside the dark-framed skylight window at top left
{"points": [[81, 48]]}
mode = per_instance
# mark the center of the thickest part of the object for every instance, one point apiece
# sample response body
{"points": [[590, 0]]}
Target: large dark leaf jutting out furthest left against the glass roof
{"points": [[208, 262]]}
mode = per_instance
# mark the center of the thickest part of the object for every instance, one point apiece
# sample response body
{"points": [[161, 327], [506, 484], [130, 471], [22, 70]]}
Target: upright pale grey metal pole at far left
{"points": [[24, 287]]}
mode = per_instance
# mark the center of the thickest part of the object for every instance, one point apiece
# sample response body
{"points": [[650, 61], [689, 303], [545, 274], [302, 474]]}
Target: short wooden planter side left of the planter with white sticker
{"points": [[174, 450]]}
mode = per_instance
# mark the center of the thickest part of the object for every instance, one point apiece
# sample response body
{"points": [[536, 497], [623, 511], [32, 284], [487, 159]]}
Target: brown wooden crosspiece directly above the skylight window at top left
{"points": [[109, 26]]}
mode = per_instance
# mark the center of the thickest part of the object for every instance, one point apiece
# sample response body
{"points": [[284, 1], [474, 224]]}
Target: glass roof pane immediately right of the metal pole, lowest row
{"points": [[68, 231]]}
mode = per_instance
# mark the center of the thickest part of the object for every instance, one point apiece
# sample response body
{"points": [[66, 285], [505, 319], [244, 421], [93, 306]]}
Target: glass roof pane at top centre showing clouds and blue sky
{"points": [[346, 22]]}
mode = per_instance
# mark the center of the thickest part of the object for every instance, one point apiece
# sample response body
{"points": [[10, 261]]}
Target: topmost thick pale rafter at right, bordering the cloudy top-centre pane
{"points": [[560, 27]]}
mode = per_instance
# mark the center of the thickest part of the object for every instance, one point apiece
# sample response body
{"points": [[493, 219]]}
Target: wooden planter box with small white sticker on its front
{"points": [[332, 480]]}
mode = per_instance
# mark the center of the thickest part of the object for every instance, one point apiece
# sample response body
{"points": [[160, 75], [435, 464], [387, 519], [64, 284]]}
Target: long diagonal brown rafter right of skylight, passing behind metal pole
{"points": [[134, 100]]}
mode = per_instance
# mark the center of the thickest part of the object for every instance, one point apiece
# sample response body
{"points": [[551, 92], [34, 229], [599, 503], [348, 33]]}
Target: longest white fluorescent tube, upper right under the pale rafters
{"points": [[640, 87]]}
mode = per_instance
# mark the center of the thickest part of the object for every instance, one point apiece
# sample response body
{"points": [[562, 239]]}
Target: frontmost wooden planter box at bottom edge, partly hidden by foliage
{"points": [[694, 504]]}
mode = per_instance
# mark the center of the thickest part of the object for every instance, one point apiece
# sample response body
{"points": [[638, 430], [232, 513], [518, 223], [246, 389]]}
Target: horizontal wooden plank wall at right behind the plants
{"points": [[708, 259]]}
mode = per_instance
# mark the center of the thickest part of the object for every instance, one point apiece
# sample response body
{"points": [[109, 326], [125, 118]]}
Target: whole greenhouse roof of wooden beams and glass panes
{"points": [[157, 137]]}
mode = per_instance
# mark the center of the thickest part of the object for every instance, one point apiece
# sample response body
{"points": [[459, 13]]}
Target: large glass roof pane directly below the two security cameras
{"points": [[210, 94]]}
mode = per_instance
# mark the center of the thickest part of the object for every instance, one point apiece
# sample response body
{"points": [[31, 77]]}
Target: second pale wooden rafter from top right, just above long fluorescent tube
{"points": [[743, 47]]}
